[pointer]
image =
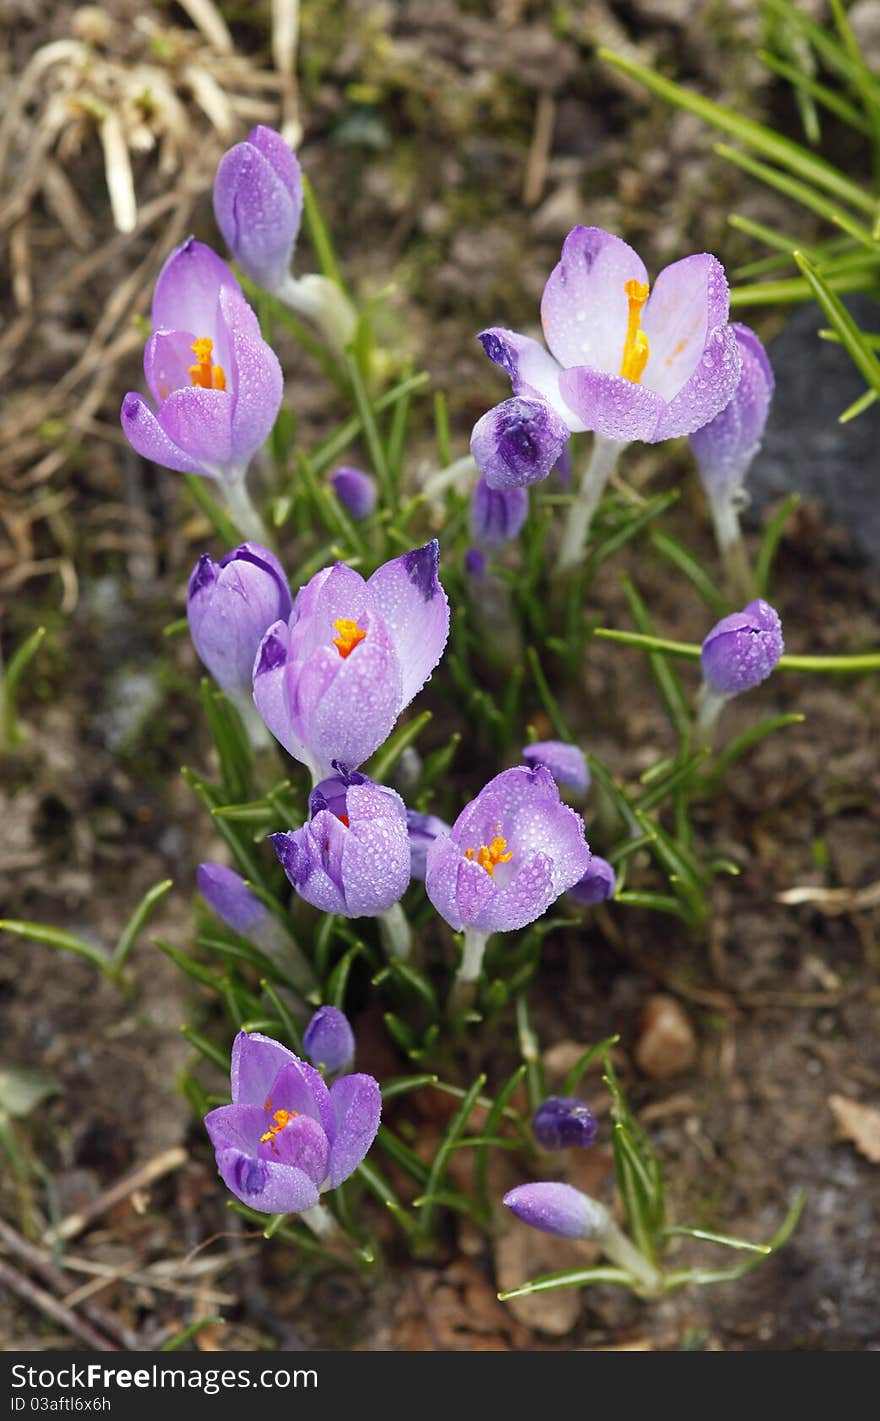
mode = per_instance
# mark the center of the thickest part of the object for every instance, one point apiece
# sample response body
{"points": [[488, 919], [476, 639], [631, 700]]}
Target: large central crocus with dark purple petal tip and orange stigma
{"points": [[333, 680]]}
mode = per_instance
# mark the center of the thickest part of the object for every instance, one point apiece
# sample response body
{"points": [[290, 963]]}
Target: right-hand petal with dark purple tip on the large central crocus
{"points": [[414, 607]]}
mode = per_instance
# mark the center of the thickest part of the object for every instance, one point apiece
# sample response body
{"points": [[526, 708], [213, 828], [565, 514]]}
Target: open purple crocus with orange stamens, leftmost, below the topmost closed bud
{"points": [[215, 382]]}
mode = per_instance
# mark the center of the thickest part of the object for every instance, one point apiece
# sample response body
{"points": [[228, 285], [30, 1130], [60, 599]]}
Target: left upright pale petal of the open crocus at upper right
{"points": [[585, 308]]}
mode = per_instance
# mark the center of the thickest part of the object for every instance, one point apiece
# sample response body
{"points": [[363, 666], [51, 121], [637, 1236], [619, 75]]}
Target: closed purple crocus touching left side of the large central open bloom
{"points": [[230, 607]]}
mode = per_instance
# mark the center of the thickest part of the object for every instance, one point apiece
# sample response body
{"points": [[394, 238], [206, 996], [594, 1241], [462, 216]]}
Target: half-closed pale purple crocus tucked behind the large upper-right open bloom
{"points": [[727, 447]]}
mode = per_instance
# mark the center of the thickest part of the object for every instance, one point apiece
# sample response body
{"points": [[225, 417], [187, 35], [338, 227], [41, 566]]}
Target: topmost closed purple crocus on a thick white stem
{"points": [[258, 201]]}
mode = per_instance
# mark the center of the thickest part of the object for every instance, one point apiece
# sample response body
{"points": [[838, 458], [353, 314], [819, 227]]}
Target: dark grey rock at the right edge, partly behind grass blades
{"points": [[805, 450]]}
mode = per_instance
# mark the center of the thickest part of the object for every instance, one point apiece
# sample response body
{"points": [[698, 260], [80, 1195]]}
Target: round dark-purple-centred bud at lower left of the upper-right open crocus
{"points": [[518, 443]]}
